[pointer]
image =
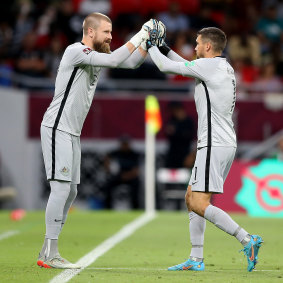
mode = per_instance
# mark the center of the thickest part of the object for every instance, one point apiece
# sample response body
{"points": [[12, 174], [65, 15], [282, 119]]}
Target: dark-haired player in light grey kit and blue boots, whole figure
{"points": [[215, 97]]}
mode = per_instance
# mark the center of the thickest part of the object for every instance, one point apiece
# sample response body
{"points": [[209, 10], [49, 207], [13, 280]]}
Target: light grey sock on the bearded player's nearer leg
{"points": [[55, 206]]}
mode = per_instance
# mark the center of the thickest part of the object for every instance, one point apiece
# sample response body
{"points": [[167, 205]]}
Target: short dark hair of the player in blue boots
{"points": [[216, 36]]}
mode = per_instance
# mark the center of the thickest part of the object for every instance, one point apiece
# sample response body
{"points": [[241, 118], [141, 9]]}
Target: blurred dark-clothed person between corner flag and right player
{"points": [[180, 131]]}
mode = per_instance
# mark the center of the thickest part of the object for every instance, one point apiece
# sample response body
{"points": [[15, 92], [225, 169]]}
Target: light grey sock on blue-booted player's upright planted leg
{"points": [[197, 229]]}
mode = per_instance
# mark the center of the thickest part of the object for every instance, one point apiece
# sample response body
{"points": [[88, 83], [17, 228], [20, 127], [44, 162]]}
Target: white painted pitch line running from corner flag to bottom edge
{"points": [[104, 247]]}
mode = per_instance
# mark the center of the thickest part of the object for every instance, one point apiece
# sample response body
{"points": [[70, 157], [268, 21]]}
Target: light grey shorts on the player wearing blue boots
{"points": [[211, 168]]}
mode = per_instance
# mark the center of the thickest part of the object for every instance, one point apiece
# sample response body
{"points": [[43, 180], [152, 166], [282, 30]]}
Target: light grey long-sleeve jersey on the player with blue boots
{"points": [[215, 94]]}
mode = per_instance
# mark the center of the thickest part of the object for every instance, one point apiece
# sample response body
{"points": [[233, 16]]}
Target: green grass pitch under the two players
{"points": [[143, 257]]}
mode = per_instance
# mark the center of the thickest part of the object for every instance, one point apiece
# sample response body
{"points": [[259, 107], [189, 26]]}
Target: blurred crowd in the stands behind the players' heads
{"points": [[34, 34]]}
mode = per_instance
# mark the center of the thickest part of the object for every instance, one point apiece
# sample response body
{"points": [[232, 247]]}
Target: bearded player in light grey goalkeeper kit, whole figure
{"points": [[62, 123]]}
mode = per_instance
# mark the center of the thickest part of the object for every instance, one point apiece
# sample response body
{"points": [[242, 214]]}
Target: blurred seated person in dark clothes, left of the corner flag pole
{"points": [[123, 166]]}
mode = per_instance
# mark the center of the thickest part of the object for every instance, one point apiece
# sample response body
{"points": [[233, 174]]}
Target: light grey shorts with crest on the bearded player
{"points": [[61, 154]]}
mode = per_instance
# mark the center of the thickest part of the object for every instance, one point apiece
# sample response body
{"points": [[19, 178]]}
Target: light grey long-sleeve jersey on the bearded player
{"points": [[76, 82]]}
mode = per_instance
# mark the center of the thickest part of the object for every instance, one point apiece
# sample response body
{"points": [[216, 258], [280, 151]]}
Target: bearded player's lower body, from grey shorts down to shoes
{"points": [[61, 195]]}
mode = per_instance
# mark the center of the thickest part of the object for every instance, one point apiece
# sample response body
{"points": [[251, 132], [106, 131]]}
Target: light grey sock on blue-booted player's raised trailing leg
{"points": [[223, 221]]}
